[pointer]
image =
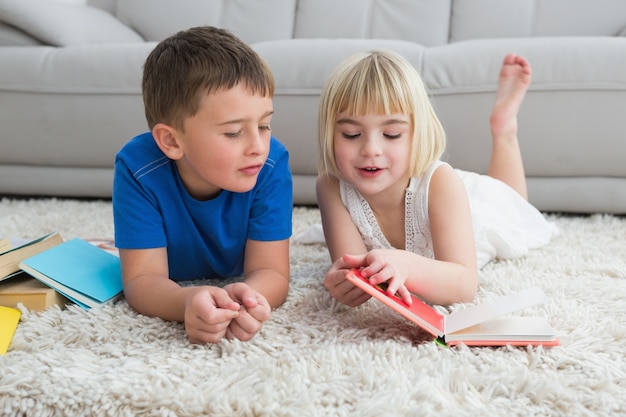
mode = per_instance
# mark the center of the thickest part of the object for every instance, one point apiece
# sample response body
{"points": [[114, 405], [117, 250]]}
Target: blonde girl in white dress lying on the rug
{"points": [[392, 208]]}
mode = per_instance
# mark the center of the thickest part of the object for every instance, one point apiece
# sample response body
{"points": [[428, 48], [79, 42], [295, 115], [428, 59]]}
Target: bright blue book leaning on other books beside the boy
{"points": [[82, 272]]}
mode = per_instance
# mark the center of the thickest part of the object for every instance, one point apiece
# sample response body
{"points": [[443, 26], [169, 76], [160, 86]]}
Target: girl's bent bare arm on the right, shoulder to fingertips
{"points": [[452, 276]]}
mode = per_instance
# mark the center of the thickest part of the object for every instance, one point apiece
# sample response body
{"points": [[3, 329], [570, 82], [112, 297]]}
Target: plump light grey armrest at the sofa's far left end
{"points": [[61, 24]]}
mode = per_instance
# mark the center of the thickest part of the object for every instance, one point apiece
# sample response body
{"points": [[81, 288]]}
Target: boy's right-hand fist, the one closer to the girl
{"points": [[254, 311]]}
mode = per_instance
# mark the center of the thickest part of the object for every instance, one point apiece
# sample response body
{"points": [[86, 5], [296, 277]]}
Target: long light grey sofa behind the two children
{"points": [[70, 83]]}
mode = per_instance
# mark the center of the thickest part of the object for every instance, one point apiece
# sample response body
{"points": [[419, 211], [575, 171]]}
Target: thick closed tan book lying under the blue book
{"points": [[27, 290]]}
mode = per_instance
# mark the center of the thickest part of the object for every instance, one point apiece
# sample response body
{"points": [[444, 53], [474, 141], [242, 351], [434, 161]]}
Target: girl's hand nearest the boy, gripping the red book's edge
{"points": [[341, 289]]}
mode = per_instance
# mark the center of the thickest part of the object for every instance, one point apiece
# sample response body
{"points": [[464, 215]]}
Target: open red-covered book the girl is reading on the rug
{"points": [[479, 325]]}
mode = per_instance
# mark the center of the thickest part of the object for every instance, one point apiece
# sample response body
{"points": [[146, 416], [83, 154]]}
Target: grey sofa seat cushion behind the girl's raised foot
{"points": [[561, 63]]}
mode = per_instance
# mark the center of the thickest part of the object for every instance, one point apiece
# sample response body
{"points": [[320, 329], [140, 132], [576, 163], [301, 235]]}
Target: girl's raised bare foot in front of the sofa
{"points": [[514, 80]]}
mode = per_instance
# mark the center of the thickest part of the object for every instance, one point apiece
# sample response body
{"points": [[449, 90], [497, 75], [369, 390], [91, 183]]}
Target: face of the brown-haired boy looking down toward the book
{"points": [[226, 143]]}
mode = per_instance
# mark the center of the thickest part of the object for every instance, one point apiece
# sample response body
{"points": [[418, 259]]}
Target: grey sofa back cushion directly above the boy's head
{"points": [[251, 20]]}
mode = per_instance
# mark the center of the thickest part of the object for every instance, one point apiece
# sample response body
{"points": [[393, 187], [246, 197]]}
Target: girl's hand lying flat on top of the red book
{"points": [[386, 265]]}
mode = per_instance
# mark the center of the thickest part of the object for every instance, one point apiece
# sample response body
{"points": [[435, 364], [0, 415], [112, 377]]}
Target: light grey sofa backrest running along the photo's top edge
{"points": [[426, 22]]}
